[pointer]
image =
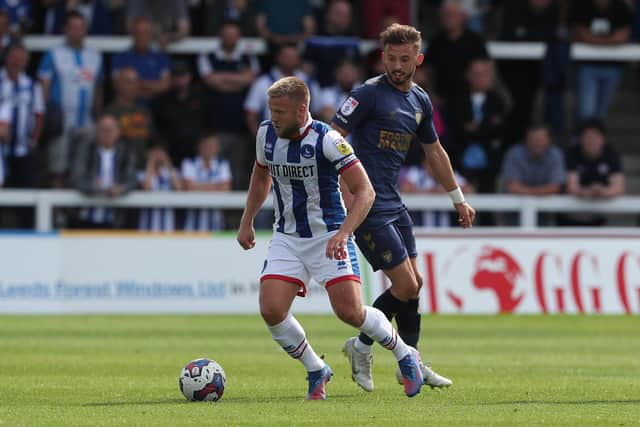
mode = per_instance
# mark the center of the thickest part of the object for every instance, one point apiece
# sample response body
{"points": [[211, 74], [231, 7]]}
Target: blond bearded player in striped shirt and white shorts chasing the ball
{"points": [[312, 237]]}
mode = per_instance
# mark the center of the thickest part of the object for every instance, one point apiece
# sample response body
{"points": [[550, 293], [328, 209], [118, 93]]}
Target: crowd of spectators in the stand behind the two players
{"points": [[74, 117]]}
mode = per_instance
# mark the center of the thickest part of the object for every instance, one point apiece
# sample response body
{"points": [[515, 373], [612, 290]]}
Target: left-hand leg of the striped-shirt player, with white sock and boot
{"points": [[276, 297]]}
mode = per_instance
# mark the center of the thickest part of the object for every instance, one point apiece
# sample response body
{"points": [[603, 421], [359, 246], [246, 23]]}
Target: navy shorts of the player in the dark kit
{"points": [[387, 246]]}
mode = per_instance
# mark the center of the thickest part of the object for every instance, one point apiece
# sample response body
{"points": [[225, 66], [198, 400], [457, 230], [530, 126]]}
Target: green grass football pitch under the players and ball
{"points": [[507, 370]]}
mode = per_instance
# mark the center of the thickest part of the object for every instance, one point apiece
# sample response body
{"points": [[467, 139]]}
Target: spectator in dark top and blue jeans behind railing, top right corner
{"points": [[601, 23]]}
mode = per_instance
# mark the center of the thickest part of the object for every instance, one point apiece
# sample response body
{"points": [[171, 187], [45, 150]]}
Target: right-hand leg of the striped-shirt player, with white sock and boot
{"points": [[346, 300]]}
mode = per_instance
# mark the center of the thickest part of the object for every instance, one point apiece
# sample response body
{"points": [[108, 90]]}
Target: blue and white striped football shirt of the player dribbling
{"points": [[305, 172]]}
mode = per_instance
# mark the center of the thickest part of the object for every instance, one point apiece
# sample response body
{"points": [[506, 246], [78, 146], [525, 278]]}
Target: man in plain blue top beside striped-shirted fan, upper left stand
{"points": [[152, 66]]}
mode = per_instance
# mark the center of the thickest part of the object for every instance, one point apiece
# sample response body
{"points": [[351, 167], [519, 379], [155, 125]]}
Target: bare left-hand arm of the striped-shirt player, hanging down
{"points": [[259, 188]]}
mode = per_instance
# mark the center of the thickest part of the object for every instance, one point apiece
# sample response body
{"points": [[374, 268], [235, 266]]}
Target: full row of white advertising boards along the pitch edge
{"points": [[472, 273]]}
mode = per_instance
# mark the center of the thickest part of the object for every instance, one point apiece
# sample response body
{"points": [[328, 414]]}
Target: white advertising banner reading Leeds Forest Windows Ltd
{"points": [[135, 274]]}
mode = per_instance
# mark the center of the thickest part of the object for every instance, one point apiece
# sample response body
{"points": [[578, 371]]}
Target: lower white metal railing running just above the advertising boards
{"points": [[44, 201]]}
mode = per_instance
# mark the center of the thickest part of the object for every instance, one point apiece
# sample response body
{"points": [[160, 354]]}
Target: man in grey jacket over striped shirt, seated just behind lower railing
{"points": [[103, 168]]}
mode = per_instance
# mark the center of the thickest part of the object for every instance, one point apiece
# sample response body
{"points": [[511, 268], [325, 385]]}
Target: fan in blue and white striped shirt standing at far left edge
{"points": [[26, 106]]}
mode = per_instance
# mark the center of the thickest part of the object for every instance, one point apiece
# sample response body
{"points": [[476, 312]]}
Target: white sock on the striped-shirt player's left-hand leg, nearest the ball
{"points": [[290, 335]]}
